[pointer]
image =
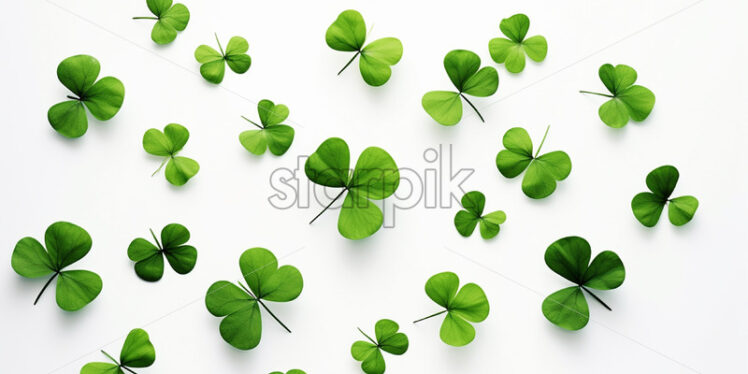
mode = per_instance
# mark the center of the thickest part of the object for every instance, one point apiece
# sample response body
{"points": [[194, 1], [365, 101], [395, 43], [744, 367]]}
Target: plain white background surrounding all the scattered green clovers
{"points": [[682, 307]]}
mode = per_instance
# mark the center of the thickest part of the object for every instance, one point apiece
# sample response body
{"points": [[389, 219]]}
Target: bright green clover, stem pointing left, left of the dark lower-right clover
{"points": [[467, 305]]}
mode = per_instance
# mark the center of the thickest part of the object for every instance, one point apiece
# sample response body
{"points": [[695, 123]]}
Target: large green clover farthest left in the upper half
{"points": [[103, 98]]}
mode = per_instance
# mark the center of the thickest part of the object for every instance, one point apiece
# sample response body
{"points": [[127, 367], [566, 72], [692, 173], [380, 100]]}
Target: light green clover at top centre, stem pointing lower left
{"points": [[348, 34]]}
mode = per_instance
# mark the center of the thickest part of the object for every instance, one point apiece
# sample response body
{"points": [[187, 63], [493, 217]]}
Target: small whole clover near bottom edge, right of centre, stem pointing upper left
{"points": [[388, 340]]}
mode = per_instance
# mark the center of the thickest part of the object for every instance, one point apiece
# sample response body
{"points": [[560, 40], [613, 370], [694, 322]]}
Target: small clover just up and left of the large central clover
{"points": [[272, 133]]}
